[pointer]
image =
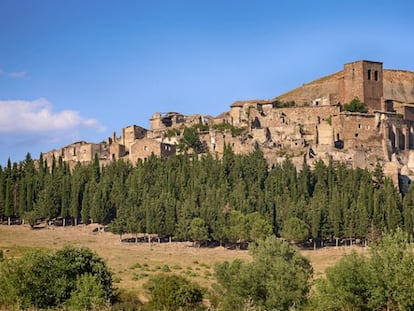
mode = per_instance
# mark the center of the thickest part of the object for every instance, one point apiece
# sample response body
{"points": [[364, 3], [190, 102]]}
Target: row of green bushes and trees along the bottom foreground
{"points": [[277, 277]]}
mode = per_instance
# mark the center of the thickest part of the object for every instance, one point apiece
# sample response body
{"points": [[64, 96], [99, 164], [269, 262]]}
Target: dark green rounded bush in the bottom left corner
{"points": [[41, 279]]}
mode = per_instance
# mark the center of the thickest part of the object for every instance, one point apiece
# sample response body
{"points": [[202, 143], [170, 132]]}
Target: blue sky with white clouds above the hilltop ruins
{"points": [[80, 69]]}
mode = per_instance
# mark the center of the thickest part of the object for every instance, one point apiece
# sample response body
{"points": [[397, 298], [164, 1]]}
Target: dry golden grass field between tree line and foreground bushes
{"points": [[132, 263]]}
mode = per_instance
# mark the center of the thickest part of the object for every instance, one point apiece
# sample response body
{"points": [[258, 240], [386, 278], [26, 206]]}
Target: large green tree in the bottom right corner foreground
{"points": [[381, 281]]}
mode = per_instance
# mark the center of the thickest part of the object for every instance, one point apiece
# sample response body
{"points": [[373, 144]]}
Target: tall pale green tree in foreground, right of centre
{"points": [[278, 278]]}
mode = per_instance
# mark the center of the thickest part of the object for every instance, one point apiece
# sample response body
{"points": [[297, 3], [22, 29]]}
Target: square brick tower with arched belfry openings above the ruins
{"points": [[362, 79]]}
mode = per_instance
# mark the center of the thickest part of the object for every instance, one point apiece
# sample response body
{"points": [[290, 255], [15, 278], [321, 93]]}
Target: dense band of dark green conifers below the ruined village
{"points": [[235, 199]]}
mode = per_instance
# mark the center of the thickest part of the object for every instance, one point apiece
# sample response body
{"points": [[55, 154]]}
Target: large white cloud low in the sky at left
{"points": [[37, 116]]}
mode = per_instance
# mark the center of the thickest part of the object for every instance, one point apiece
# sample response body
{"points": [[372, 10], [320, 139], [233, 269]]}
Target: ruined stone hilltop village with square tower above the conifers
{"points": [[306, 124]]}
